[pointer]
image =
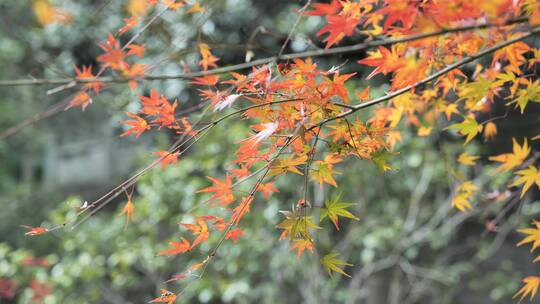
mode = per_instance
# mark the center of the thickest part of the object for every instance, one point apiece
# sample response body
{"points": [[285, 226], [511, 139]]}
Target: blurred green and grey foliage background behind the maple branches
{"points": [[409, 246]]}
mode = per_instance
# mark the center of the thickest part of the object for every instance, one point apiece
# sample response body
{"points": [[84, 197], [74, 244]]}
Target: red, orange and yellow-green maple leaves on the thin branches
{"points": [[306, 111]]}
